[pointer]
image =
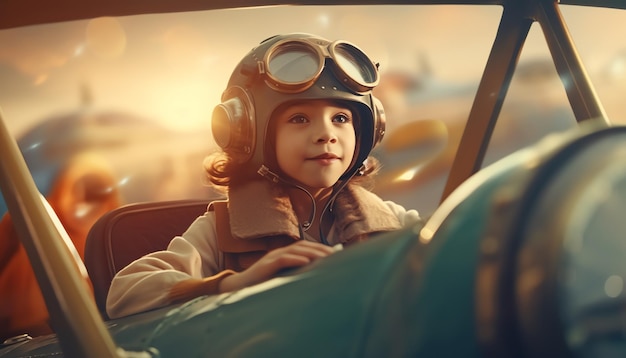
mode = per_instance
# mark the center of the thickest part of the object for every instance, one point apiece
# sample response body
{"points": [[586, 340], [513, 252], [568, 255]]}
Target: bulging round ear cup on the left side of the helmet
{"points": [[233, 124]]}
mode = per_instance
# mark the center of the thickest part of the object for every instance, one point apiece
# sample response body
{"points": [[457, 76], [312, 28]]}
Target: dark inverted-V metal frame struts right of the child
{"points": [[517, 17]]}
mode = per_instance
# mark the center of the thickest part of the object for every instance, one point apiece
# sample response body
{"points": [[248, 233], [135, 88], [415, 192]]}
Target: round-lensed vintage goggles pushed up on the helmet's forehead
{"points": [[293, 65]]}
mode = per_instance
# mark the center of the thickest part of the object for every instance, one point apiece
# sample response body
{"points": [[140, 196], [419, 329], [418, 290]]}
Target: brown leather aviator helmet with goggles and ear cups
{"points": [[296, 67]]}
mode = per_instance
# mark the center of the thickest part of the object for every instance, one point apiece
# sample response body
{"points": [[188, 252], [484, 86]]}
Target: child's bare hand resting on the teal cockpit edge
{"points": [[297, 254]]}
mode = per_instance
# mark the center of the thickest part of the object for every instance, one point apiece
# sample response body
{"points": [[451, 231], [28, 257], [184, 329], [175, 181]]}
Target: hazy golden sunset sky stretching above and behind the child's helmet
{"points": [[172, 68]]}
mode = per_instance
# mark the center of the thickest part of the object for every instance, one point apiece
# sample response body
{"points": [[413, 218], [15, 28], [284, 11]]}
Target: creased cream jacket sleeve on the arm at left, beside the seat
{"points": [[146, 282]]}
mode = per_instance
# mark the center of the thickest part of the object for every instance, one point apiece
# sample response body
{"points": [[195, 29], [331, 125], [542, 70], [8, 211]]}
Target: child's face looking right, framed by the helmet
{"points": [[315, 142]]}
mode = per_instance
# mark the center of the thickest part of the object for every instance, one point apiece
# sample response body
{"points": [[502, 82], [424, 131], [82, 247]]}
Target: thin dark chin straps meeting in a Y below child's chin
{"points": [[275, 178]]}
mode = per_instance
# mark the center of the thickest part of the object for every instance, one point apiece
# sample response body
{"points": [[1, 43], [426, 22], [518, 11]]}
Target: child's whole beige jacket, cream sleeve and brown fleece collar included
{"points": [[264, 220]]}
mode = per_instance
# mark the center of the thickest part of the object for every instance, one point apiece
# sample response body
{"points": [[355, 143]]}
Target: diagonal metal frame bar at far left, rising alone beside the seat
{"points": [[73, 314]]}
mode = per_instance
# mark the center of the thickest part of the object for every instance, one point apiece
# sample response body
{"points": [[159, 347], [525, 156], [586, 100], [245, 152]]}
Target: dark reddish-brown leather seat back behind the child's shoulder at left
{"points": [[131, 231]]}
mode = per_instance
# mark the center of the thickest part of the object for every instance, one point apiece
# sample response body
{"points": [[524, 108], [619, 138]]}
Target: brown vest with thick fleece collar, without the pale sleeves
{"points": [[358, 213]]}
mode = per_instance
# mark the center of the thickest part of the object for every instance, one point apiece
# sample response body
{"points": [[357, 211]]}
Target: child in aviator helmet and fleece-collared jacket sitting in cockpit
{"points": [[296, 125]]}
